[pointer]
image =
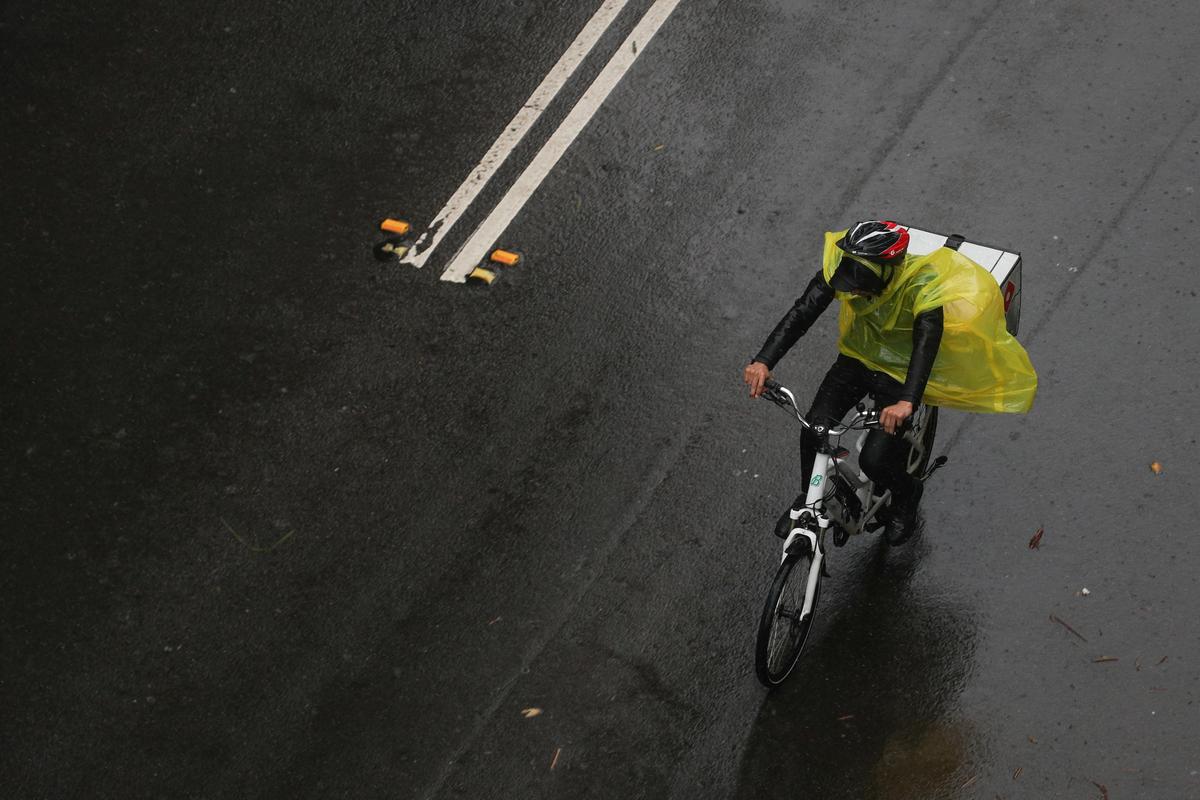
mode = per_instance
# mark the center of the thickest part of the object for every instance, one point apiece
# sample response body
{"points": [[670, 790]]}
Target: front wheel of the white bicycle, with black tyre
{"points": [[784, 627]]}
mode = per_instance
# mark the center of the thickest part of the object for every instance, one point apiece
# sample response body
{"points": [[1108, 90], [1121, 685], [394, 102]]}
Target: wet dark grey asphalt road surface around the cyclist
{"points": [[280, 521]]}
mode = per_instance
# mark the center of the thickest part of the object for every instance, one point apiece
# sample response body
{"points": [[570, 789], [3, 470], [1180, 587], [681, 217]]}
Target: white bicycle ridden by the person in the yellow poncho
{"points": [[841, 501]]}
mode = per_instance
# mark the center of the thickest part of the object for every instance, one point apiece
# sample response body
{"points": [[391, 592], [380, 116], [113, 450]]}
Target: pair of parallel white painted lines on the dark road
{"points": [[477, 248]]}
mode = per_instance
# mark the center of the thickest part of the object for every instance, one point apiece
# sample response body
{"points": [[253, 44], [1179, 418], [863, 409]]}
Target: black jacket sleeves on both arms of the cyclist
{"points": [[927, 336]]}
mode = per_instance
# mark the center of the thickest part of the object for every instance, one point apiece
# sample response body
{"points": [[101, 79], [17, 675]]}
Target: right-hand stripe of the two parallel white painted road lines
{"points": [[476, 249]]}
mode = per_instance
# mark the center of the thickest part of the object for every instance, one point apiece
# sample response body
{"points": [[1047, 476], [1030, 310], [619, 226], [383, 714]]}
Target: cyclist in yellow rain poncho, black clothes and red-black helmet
{"points": [[893, 321]]}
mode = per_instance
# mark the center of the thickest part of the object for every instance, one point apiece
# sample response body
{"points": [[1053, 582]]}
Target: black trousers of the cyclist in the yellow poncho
{"points": [[884, 456]]}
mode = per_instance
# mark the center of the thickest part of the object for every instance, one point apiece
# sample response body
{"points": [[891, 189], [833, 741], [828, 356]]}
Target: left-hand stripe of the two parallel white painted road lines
{"points": [[514, 133]]}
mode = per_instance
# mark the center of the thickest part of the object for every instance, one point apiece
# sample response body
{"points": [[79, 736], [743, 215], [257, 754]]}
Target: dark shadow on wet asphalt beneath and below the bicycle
{"points": [[872, 709]]}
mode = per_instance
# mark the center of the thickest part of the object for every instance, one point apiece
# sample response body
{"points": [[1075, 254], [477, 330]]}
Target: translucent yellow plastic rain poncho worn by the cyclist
{"points": [[980, 366]]}
